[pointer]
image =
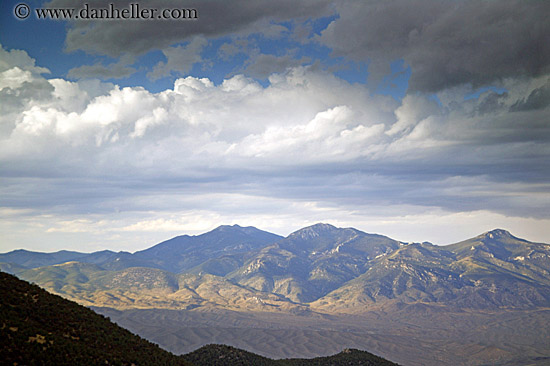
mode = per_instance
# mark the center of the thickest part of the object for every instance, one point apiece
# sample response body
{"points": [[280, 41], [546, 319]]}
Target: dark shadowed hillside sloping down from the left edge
{"points": [[38, 328]]}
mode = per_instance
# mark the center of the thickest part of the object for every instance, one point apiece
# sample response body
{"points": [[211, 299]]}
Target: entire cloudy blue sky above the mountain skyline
{"points": [[421, 120]]}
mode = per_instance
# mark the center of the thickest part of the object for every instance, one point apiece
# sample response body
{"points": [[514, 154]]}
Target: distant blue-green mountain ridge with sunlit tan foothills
{"points": [[318, 268]]}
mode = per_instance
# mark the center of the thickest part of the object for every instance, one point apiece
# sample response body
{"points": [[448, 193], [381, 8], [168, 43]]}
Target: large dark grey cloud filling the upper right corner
{"points": [[446, 43]]}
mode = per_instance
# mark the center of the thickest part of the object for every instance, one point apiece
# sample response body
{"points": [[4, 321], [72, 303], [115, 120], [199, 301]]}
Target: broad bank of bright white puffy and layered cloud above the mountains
{"points": [[307, 146]]}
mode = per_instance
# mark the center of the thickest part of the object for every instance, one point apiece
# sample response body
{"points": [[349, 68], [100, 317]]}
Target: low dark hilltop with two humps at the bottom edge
{"points": [[221, 355]]}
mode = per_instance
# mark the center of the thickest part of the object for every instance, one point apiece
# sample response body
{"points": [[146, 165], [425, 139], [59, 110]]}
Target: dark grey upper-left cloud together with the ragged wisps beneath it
{"points": [[183, 42]]}
